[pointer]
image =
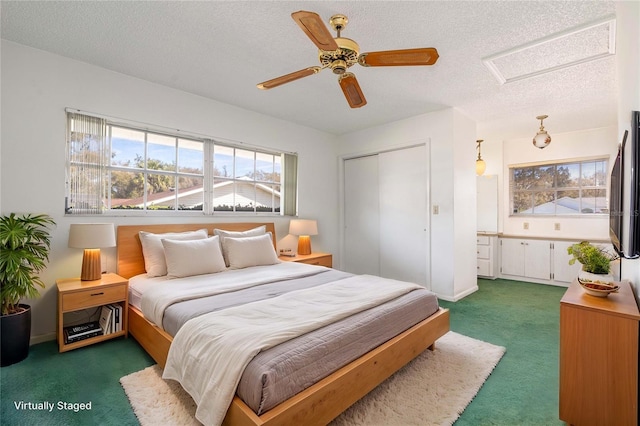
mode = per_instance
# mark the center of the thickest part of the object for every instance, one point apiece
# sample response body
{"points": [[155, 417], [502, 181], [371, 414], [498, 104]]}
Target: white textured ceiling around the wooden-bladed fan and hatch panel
{"points": [[220, 50]]}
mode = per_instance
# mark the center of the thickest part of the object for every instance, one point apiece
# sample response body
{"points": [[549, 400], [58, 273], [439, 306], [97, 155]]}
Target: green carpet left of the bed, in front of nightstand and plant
{"points": [[90, 374]]}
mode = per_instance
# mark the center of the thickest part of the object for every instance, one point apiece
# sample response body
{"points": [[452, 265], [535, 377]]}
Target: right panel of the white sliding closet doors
{"points": [[403, 214]]}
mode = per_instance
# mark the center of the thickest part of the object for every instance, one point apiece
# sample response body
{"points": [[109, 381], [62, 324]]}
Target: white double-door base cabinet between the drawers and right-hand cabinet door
{"points": [[526, 258]]}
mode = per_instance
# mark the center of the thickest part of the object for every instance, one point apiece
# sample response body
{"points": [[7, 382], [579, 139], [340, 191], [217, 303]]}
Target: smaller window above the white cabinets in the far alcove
{"points": [[566, 188]]}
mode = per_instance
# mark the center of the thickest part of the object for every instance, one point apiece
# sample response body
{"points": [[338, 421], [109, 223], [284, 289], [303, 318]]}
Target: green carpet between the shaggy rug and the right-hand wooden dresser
{"points": [[524, 318]]}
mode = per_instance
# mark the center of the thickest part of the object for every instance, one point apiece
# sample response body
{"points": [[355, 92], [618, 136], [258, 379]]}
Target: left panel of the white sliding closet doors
{"points": [[362, 221]]}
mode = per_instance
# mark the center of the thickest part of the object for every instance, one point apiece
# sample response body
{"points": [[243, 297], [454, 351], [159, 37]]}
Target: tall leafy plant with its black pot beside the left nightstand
{"points": [[24, 250]]}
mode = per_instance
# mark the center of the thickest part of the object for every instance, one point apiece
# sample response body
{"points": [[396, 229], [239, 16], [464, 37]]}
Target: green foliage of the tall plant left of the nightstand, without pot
{"points": [[24, 250]]}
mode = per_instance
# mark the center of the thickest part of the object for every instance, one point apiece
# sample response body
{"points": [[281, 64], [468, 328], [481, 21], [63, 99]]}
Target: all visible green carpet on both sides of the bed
{"points": [[522, 390]]}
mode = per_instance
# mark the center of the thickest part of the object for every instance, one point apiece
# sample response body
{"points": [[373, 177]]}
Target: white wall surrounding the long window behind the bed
{"points": [[36, 88]]}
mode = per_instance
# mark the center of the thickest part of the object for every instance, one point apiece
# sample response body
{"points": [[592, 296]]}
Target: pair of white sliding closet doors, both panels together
{"points": [[386, 215]]}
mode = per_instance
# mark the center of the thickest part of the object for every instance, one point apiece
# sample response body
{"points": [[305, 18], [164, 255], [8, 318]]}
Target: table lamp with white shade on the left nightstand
{"points": [[91, 237]]}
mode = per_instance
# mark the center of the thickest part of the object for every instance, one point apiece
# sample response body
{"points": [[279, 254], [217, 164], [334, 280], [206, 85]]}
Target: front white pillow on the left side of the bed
{"points": [[194, 257]]}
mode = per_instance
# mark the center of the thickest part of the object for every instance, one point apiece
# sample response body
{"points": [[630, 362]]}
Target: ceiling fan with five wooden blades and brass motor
{"points": [[340, 53]]}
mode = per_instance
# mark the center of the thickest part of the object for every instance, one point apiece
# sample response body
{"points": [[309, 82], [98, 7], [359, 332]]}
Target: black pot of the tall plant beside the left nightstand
{"points": [[16, 333]]}
